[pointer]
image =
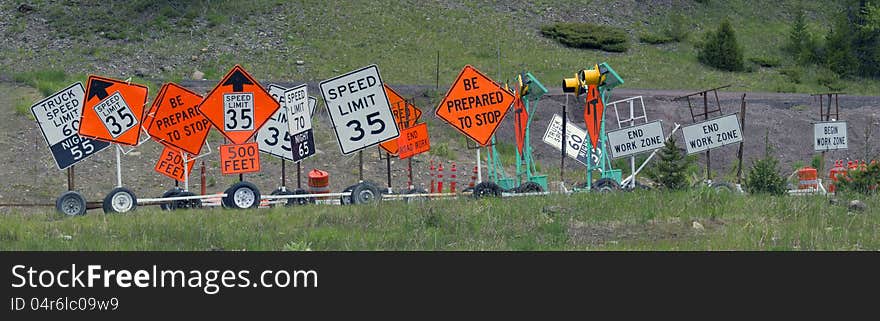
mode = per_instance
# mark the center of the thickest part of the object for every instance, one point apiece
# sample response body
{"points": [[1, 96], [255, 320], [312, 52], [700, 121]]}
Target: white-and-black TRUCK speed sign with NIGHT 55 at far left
{"points": [[59, 117]]}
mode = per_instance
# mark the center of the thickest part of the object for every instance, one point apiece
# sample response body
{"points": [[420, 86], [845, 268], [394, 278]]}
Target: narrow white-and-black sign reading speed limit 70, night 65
{"points": [[300, 122]]}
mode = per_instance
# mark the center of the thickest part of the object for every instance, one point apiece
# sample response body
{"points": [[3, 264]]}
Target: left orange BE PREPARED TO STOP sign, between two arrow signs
{"points": [[174, 119]]}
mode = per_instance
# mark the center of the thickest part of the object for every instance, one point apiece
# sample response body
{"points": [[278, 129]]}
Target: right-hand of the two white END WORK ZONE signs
{"points": [[712, 133]]}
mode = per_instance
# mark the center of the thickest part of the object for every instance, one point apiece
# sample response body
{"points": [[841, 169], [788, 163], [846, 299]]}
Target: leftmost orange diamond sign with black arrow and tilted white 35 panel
{"points": [[113, 110]]}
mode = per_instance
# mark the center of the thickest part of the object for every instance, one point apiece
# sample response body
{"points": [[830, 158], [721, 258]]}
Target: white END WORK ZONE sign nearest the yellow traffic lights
{"points": [[637, 139]]}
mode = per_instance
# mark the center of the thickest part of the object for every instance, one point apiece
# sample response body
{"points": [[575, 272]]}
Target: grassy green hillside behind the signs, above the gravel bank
{"points": [[403, 39]]}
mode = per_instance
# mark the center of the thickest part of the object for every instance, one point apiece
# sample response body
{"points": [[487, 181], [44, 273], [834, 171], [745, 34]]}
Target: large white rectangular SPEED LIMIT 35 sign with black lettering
{"points": [[359, 109]]}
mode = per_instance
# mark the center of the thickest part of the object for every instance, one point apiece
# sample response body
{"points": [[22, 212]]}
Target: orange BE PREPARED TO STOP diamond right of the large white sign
{"points": [[475, 105]]}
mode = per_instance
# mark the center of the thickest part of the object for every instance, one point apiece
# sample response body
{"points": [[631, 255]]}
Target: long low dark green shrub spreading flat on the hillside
{"points": [[588, 36]]}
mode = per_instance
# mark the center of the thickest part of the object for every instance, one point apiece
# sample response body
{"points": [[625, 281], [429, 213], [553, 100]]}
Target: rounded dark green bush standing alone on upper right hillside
{"points": [[720, 49]]}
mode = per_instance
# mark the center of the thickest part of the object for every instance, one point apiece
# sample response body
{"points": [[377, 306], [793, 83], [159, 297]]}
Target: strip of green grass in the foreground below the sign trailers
{"points": [[621, 221]]}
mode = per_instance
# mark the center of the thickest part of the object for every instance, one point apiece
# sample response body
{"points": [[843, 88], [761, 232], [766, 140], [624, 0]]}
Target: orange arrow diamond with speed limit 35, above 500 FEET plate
{"points": [[238, 106]]}
